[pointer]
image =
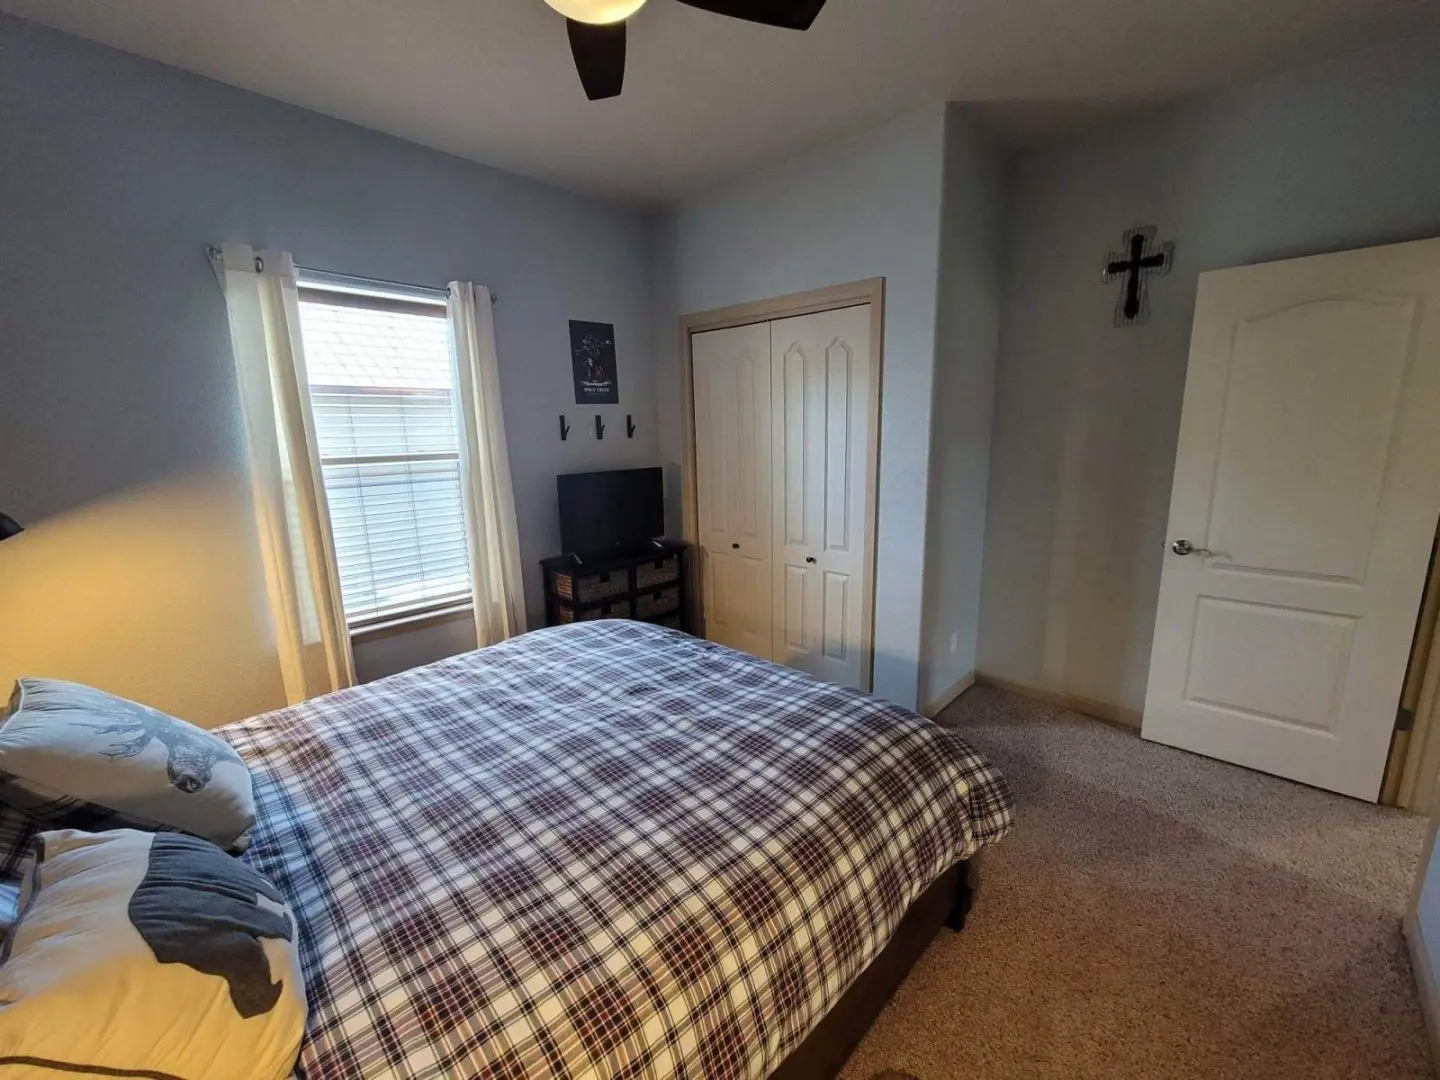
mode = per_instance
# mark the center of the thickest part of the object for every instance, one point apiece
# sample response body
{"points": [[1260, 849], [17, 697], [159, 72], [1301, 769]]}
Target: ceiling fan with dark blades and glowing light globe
{"points": [[598, 32]]}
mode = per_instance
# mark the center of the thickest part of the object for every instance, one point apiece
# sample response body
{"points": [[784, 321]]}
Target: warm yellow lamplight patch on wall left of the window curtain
{"points": [[155, 594]]}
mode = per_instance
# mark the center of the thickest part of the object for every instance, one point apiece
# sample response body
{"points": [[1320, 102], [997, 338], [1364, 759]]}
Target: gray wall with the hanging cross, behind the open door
{"points": [[1331, 158]]}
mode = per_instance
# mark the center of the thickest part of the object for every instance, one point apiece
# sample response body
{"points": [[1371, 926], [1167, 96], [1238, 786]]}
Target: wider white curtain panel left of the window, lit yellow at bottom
{"points": [[290, 496]]}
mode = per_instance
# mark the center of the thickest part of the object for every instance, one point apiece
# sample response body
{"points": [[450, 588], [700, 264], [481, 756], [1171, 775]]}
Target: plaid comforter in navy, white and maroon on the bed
{"points": [[598, 852]]}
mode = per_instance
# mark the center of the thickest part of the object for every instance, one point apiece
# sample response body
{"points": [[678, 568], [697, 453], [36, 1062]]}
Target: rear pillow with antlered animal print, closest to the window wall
{"points": [[87, 760]]}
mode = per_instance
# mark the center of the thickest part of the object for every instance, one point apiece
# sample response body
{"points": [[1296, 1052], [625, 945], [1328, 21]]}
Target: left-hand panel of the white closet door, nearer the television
{"points": [[732, 392]]}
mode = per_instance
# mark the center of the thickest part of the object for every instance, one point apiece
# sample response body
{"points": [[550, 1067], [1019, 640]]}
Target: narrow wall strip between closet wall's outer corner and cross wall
{"points": [[967, 339]]}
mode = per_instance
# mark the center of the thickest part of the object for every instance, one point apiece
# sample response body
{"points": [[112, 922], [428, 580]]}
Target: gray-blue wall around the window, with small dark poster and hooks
{"points": [[116, 375]]}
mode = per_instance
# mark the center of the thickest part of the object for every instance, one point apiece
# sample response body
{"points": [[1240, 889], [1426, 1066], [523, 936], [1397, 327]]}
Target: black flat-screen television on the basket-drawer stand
{"points": [[606, 510]]}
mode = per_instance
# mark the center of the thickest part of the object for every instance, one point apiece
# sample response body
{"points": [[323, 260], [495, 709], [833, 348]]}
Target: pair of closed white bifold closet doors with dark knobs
{"points": [[784, 464]]}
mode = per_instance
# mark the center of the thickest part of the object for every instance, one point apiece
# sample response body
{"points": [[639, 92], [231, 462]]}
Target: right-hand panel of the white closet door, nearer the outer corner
{"points": [[822, 415]]}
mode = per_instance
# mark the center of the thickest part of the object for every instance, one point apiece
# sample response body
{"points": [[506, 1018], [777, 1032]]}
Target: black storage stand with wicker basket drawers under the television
{"points": [[646, 582]]}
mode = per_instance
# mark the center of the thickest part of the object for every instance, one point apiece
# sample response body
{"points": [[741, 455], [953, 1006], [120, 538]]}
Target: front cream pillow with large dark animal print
{"points": [[149, 954]]}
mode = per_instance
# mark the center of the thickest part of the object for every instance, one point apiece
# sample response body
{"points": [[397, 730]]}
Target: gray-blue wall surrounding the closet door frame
{"points": [[865, 208]]}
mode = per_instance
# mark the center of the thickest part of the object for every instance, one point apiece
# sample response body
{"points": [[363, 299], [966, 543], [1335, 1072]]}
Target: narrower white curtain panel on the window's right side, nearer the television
{"points": [[485, 463]]}
